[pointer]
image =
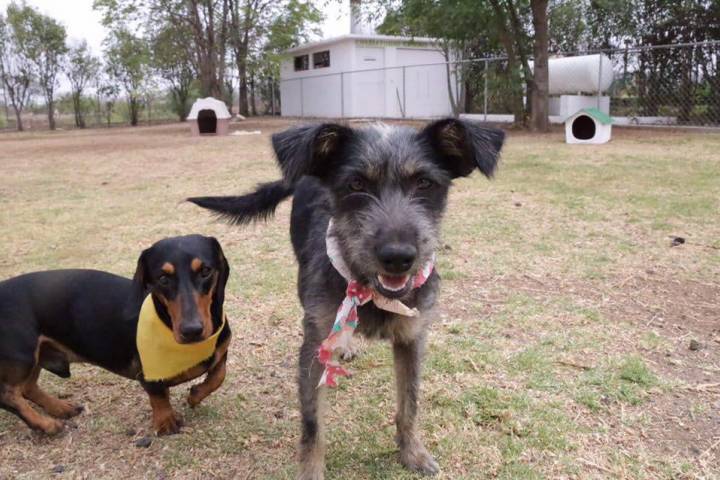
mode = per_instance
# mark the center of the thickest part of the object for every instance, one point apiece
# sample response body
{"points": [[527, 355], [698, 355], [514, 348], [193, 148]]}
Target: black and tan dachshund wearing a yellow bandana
{"points": [[53, 318]]}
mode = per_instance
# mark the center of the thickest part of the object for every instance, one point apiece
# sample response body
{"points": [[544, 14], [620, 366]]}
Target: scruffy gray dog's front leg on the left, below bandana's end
{"points": [[312, 399]]}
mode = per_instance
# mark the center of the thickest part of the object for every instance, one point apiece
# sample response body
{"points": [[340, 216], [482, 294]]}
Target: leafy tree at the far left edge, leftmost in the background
{"points": [[16, 70]]}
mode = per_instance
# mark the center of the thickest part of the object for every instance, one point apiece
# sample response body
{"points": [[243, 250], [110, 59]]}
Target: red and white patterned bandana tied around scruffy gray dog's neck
{"points": [[356, 294]]}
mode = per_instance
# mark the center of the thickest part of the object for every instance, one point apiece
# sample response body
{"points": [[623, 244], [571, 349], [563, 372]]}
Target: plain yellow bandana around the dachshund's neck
{"points": [[161, 356]]}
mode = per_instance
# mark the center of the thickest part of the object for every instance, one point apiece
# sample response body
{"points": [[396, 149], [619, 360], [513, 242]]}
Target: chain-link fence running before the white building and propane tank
{"points": [[655, 85]]}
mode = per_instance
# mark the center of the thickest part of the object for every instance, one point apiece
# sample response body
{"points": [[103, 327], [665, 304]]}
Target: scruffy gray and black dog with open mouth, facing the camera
{"points": [[385, 189]]}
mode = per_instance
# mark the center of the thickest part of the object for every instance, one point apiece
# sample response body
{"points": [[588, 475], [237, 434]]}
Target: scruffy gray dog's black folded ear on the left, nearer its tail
{"points": [[309, 150]]}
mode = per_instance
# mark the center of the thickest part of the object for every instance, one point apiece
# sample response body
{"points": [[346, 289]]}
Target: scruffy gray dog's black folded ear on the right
{"points": [[463, 146]]}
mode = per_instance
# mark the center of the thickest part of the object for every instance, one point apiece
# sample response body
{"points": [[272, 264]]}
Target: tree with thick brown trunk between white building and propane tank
{"points": [[469, 26]]}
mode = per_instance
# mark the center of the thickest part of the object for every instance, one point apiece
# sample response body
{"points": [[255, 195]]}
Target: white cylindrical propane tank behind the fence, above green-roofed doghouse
{"points": [[572, 75]]}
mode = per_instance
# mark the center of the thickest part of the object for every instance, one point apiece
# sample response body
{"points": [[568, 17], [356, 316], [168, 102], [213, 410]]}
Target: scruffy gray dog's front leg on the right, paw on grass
{"points": [[413, 454]]}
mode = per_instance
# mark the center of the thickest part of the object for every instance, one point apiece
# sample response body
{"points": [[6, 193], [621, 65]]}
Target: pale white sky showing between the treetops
{"points": [[82, 22]]}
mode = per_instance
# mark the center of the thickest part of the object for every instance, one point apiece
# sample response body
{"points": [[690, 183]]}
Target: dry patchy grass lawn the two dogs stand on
{"points": [[561, 350]]}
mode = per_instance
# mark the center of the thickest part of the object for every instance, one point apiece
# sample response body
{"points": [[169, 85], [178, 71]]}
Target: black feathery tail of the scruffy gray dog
{"points": [[258, 205]]}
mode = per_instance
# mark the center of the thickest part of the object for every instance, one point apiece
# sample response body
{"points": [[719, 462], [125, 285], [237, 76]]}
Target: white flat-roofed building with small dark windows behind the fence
{"points": [[366, 75]]}
